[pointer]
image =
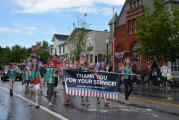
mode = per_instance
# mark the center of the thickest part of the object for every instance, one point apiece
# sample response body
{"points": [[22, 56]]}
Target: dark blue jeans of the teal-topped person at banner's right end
{"points": [[128, 88]]}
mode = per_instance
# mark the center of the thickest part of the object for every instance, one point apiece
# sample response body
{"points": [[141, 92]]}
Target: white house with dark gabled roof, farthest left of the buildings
{"points": [[59, 47]]}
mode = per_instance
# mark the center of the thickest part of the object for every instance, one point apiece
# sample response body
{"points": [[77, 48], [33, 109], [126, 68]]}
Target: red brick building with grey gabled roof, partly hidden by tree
{"points": [[125, 27]]}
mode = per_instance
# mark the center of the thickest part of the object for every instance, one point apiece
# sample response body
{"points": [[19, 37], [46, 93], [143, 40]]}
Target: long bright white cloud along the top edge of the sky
{"points": [[43, 6]]}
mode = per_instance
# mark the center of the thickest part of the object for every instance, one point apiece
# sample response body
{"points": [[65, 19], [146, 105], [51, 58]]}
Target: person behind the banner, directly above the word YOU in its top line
{"points": [[103, 68]]}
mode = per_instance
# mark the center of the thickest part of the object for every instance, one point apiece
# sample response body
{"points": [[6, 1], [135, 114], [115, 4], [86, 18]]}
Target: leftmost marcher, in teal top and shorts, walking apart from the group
{"points": [[12, 75]]}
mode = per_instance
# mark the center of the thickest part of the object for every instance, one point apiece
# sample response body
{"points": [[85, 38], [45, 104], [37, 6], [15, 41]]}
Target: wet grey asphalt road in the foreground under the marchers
{"points": [[16, 108]]}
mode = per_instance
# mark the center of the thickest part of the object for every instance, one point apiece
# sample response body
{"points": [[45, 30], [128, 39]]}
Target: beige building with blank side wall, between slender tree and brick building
{"points": [[97, 45]]}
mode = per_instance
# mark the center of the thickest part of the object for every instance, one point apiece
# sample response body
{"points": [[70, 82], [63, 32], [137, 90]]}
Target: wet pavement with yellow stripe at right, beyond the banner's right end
{"points": [[155, 98]]}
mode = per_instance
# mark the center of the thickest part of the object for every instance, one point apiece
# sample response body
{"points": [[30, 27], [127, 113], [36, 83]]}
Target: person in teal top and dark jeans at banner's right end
{"points": [[127, 80]]}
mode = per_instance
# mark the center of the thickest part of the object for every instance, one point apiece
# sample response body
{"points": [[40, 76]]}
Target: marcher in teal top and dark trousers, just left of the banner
{"points": [[50, 79]]}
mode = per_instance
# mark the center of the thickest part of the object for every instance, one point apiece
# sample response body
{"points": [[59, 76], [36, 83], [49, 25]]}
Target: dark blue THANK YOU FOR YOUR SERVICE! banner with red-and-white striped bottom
{"points": [[94, 84]]}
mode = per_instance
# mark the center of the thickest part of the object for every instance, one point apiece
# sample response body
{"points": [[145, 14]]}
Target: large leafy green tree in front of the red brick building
{"points": [[158, 31]]}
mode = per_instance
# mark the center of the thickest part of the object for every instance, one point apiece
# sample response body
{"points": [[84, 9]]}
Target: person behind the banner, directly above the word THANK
{"points": [[83, 67]]}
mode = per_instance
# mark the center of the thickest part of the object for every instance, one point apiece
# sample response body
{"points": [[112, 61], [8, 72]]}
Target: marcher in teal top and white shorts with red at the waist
{"points": [[34, 85]]}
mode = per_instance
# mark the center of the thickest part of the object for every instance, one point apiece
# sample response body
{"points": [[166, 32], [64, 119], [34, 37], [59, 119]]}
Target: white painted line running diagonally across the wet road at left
{"points": [[41, 107]]}
